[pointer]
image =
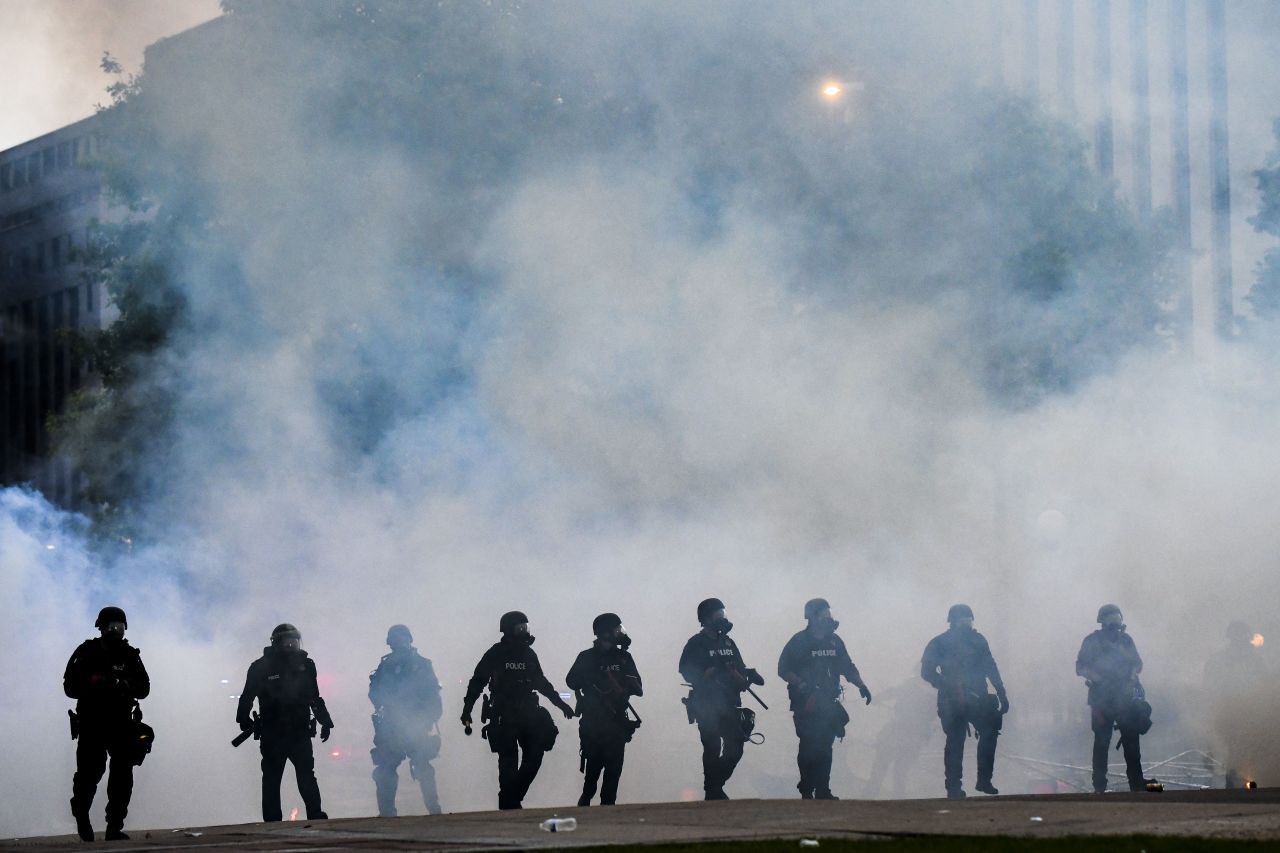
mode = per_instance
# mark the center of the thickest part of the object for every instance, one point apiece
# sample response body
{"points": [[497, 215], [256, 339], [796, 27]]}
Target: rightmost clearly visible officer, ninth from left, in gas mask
{"points": [[1110, 664]]}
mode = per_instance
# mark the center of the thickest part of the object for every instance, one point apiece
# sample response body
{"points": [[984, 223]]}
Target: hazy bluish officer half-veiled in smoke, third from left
{"points": [[406, 697]]}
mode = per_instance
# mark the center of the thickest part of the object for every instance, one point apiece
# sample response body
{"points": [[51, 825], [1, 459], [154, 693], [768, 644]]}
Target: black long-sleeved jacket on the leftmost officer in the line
{"points": [[106, 678]]}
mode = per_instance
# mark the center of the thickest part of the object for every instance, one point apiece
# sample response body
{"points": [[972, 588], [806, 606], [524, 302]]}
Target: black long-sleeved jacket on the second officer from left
{"points": [[285, 686]]}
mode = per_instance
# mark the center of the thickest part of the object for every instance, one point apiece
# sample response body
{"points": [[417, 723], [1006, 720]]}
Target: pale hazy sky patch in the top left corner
{"points": [[53, 49]]}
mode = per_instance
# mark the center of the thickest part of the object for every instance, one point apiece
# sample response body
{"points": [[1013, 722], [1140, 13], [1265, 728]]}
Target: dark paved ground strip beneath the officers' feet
{"points": [[1218, 814]]}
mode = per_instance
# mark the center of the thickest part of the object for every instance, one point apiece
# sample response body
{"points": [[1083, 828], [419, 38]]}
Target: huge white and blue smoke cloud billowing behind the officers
{"points": [[632, 320]]}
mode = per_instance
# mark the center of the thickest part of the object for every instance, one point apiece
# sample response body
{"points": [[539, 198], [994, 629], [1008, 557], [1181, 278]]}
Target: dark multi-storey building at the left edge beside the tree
{"points": [[49, 199]]}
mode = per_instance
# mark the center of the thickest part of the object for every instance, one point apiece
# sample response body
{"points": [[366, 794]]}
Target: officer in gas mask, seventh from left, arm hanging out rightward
{"points": [[812, 664]]}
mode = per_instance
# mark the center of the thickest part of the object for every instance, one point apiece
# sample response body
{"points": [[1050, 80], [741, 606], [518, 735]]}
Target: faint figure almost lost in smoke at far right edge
{"points": [[1242, 695]]}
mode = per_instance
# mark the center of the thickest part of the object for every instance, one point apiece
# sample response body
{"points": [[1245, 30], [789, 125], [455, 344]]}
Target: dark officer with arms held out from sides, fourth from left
{"points": [[519, 729]]}
